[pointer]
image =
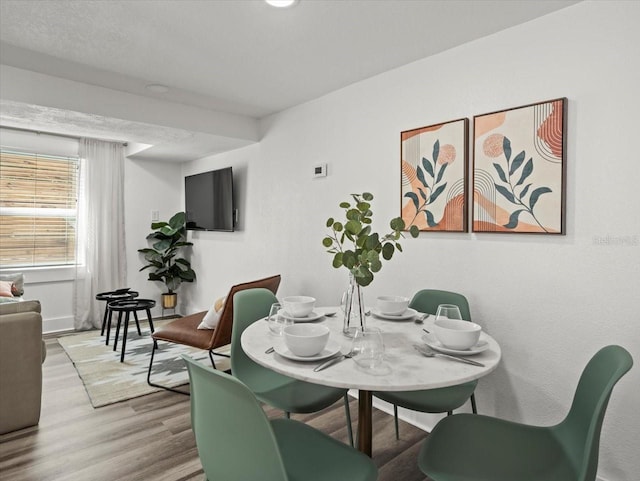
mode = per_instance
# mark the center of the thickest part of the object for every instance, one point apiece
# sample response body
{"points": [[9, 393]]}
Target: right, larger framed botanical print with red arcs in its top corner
{"points": [[519, 169]]}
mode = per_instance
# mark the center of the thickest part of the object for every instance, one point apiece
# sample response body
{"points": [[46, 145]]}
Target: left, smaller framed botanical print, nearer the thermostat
{"points": [[434, 165]]}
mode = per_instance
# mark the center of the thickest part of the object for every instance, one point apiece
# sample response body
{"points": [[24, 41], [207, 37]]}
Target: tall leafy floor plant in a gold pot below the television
{"points": [[162, 257]]}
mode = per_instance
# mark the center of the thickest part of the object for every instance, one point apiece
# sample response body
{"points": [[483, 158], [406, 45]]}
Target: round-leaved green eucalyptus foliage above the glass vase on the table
{"points": [[363, 260]]}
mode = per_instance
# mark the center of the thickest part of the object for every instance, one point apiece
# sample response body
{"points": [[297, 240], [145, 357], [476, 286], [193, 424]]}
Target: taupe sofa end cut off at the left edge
{"points": [[22, 352]]}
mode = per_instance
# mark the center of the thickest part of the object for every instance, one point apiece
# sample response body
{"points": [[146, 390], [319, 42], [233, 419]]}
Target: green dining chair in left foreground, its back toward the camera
{"points": [[237, 442]]}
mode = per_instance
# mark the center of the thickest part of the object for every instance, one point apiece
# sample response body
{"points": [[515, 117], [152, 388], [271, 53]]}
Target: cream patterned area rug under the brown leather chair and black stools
{"points": [[107, 380]]}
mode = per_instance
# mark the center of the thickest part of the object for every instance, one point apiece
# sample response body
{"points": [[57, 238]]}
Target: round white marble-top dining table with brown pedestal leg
{"points": [[403, 367]]}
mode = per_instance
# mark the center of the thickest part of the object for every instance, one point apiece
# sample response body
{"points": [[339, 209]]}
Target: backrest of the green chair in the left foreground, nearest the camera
{"points": [[234, 437]]}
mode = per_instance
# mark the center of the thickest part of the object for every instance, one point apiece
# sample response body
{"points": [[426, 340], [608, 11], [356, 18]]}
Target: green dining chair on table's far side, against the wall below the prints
{"points": [[439, 400]]}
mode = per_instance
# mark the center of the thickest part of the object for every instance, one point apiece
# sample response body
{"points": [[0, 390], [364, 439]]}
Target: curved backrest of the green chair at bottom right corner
{"points": [[580, 431]]}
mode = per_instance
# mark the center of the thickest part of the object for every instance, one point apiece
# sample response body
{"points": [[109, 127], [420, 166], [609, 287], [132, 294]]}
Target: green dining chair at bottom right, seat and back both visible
{"points": [[483, 448]]}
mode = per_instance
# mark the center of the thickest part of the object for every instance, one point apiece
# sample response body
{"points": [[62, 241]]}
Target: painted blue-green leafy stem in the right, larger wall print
{"points": [[515, 191]]}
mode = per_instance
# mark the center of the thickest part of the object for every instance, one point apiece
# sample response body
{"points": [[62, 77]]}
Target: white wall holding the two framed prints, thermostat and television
{"points": [[544, 298]]}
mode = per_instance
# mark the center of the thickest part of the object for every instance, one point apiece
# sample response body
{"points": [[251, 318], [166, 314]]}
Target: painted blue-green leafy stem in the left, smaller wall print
{"points": [[432, 186]]}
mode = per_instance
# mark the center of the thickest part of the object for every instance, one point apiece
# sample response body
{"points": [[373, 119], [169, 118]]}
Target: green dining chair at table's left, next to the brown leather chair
{"points": [[280, 391]]}
